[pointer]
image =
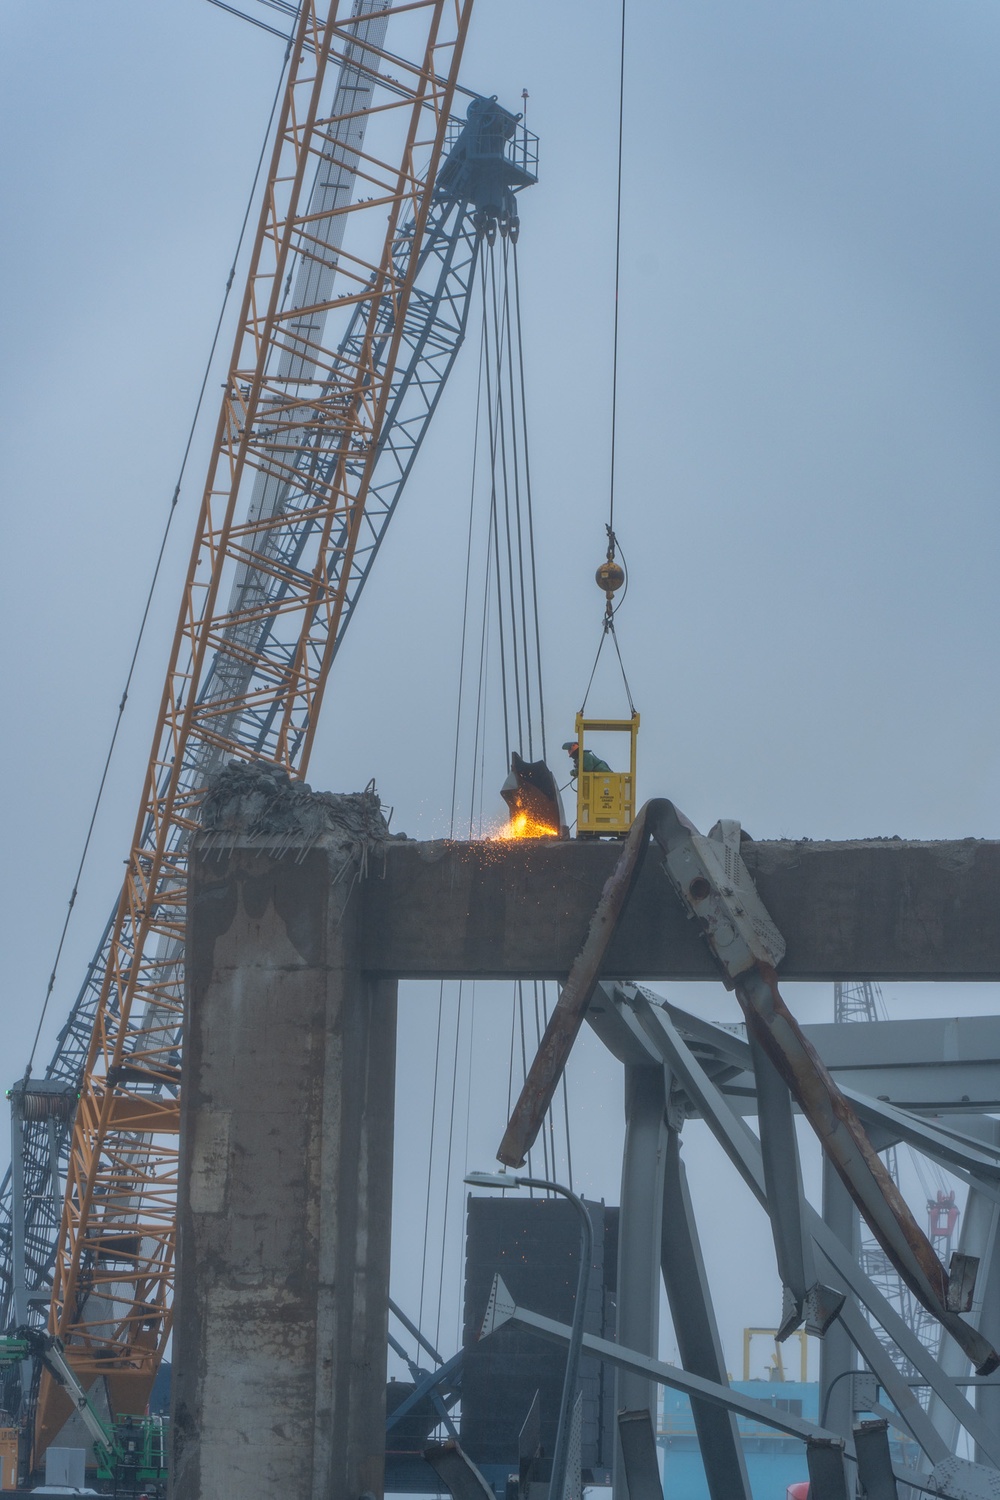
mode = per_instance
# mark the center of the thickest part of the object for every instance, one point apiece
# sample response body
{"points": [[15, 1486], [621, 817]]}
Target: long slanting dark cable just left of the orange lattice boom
{"points": [[160, 559]]}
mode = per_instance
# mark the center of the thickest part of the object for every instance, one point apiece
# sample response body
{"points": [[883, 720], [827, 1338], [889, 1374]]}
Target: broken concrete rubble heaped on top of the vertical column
{"points": [[266, 805]]}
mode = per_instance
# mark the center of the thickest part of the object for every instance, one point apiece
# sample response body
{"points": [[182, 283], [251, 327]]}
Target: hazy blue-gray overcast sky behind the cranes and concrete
{"points": [[807, 491]]}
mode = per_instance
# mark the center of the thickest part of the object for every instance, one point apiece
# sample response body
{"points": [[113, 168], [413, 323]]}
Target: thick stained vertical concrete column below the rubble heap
{"points": [[286, 1181]]}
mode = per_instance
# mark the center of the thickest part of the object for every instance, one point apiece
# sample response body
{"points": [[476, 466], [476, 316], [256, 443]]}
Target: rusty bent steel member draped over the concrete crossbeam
{"points": [[717, 892]]}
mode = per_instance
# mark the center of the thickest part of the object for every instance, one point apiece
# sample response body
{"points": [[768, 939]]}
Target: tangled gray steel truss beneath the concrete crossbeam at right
{"points": [[708, 1072]]}
